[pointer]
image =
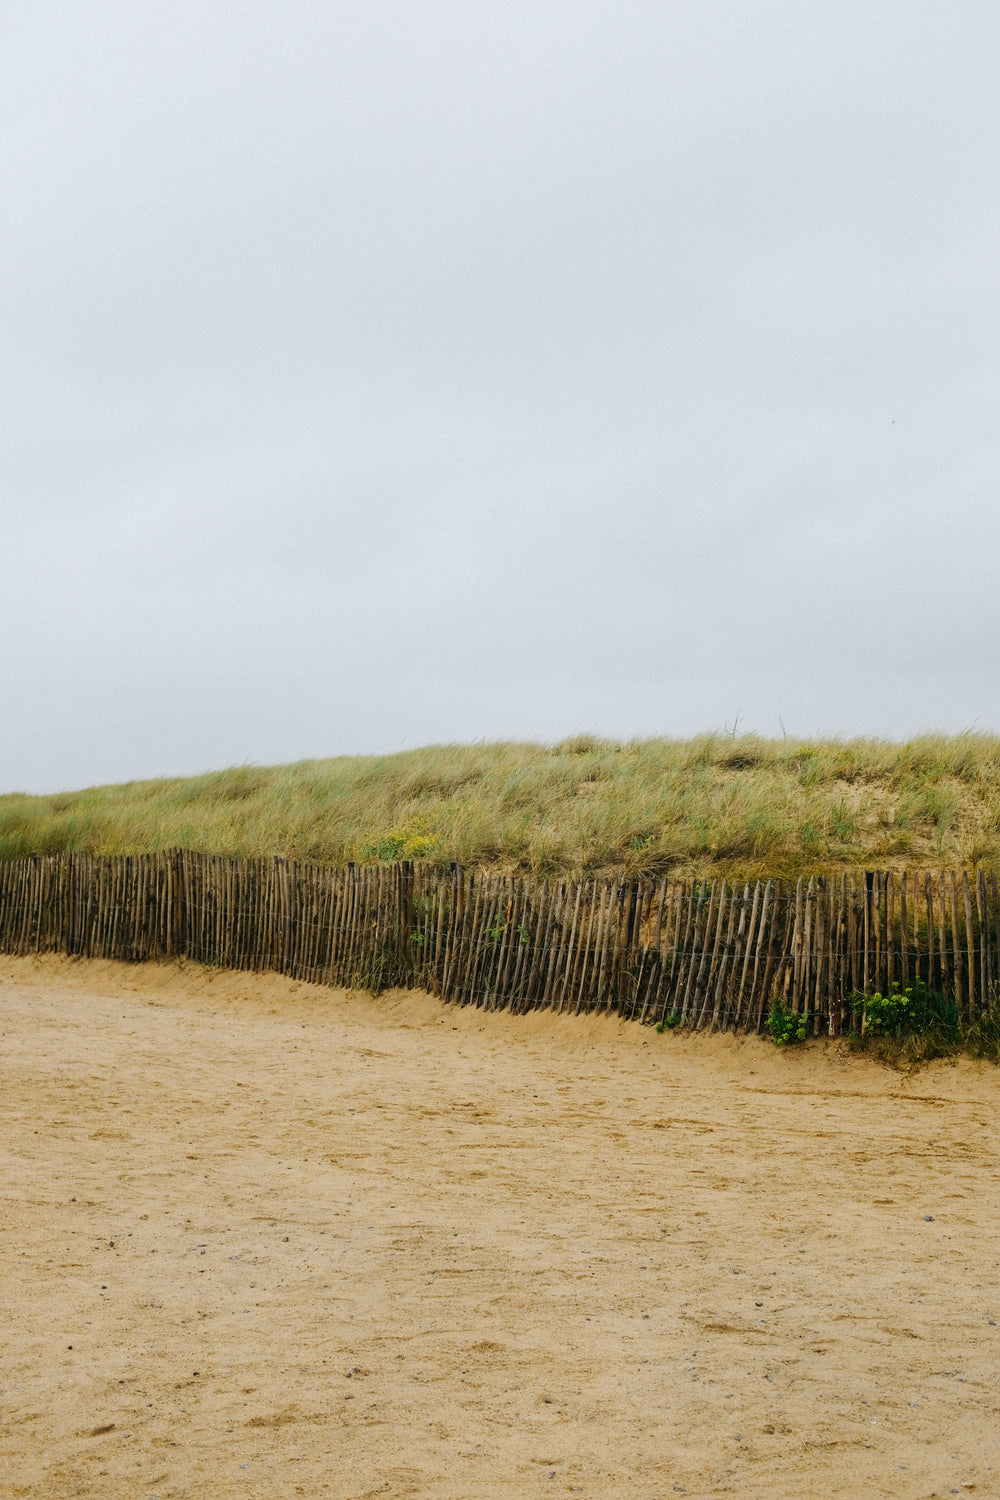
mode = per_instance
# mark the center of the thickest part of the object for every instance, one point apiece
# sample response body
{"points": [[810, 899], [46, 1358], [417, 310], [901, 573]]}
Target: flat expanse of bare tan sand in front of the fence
{"points": [[265, 1240]]}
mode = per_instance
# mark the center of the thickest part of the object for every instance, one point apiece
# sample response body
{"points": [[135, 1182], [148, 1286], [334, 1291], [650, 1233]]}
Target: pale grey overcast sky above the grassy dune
{"points": [[386, 374]]}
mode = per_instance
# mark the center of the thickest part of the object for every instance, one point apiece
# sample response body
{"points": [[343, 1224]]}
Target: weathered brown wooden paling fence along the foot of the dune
{"points": [[702, 955]]}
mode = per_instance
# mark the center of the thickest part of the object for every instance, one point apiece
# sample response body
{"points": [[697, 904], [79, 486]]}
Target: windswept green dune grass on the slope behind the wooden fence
{"points": [[705, 806]]}
